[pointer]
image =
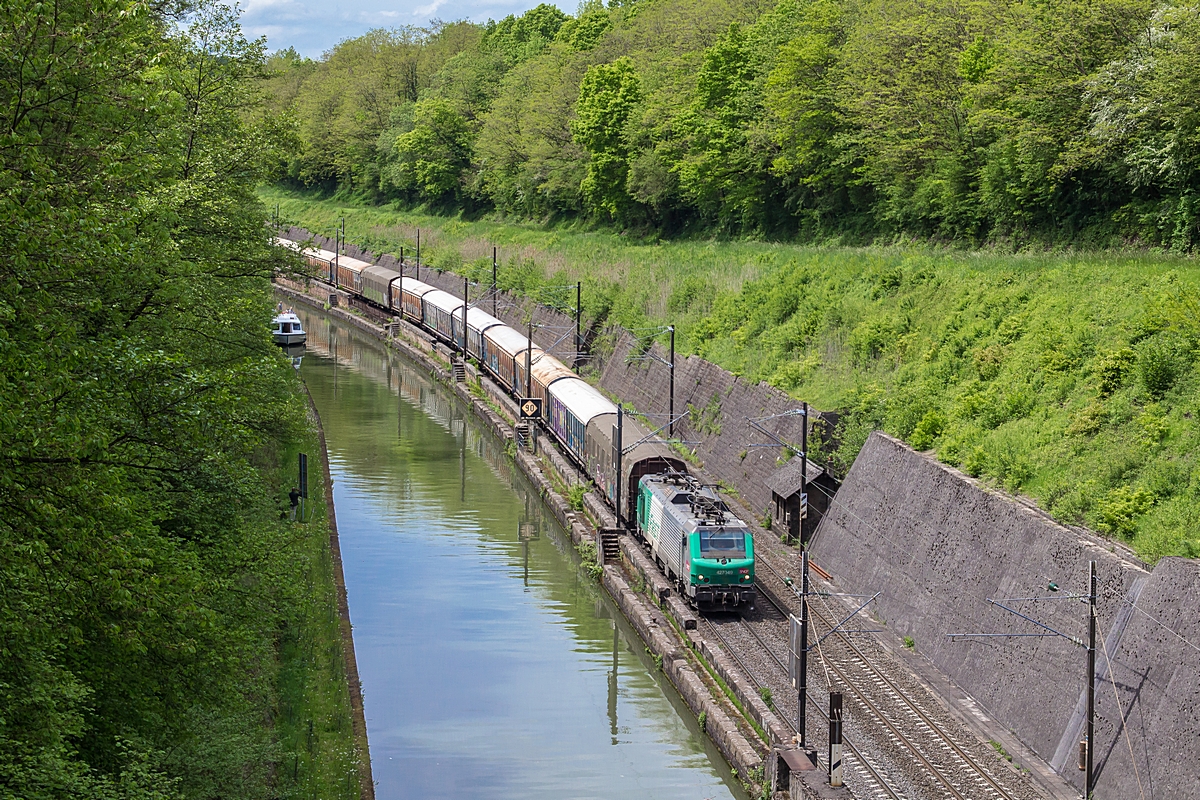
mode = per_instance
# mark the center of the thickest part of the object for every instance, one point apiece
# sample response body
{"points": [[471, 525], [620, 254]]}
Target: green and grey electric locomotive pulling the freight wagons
{"points": [[698, 542]]}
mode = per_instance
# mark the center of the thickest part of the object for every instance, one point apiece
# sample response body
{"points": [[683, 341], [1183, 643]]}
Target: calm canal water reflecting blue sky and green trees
{"points": [[491, 669]]}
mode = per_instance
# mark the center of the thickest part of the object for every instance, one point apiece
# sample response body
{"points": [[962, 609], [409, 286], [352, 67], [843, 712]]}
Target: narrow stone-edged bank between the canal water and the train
{"points": [[674, 651]]}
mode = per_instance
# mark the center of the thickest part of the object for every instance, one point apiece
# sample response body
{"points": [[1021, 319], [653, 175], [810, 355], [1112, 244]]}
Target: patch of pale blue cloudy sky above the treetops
{"points": [[314, 27]]}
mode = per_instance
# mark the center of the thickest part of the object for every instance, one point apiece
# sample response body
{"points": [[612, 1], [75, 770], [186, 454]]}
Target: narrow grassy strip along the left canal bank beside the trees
{"points": [[315, 725]]}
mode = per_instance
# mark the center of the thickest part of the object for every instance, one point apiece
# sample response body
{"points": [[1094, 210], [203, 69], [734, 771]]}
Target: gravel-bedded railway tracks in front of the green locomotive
{"points": [[905, 749]]}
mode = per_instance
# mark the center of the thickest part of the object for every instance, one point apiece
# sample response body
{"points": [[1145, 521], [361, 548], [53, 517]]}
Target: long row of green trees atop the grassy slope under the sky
{"points": [[851, 121]]}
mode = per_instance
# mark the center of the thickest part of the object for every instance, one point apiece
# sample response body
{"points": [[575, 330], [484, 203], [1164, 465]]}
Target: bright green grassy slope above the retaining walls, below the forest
{"points": [[1066, 377]]}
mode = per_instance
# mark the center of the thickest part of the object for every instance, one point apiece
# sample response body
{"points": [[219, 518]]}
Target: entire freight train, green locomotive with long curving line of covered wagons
{"points": [[692, 534]]}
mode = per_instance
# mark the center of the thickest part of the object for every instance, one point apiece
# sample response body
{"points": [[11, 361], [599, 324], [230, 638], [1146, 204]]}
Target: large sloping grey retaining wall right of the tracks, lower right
{"points": [[937, 546]]}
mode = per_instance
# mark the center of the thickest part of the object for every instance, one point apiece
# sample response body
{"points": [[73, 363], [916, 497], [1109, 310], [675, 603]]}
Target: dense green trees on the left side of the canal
{"points": [[151, 596]]}
